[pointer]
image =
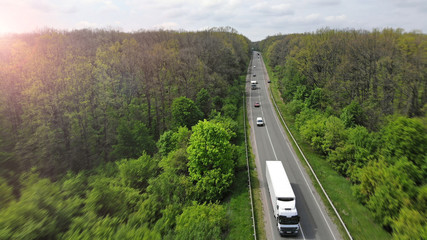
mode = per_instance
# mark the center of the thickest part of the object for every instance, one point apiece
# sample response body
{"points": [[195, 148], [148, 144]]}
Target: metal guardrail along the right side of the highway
{"points": [[311, 169]]}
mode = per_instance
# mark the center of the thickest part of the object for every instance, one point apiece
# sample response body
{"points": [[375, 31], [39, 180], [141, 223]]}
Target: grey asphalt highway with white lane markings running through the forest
{"points": [[270, 142]]}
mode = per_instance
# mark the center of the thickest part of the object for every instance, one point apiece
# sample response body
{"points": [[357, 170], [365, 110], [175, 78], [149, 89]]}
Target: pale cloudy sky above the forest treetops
{"points": [[256, 19]]}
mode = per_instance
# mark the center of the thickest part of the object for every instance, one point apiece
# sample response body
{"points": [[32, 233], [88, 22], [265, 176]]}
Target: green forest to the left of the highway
{"points": [[113, 135]]}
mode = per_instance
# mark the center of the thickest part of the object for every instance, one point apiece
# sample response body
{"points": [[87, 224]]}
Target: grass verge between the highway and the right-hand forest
{"points": [[358, 219]]}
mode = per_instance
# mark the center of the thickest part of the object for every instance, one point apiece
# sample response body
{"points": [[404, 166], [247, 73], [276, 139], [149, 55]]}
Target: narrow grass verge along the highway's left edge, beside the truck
{"points": [[238, 202]]}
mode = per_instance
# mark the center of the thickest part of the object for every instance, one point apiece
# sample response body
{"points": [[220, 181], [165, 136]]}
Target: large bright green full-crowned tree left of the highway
{"points": [[210, 160]]}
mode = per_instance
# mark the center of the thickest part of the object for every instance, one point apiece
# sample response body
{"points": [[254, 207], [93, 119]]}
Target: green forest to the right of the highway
{"points": [[359, 98]]}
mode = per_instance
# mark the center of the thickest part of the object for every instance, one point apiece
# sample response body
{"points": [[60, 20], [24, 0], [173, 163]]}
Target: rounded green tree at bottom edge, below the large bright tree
{"points": [[201, 222]]}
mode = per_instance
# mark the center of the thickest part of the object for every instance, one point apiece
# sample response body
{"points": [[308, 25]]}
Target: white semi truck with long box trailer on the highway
{"points": [[282, 199]]}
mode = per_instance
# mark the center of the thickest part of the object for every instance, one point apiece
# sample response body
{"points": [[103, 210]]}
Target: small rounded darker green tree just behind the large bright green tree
{"points": [[185, 112]]}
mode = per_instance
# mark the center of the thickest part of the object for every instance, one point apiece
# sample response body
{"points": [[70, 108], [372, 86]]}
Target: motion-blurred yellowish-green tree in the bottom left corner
{"points": [[41, 212]]}
